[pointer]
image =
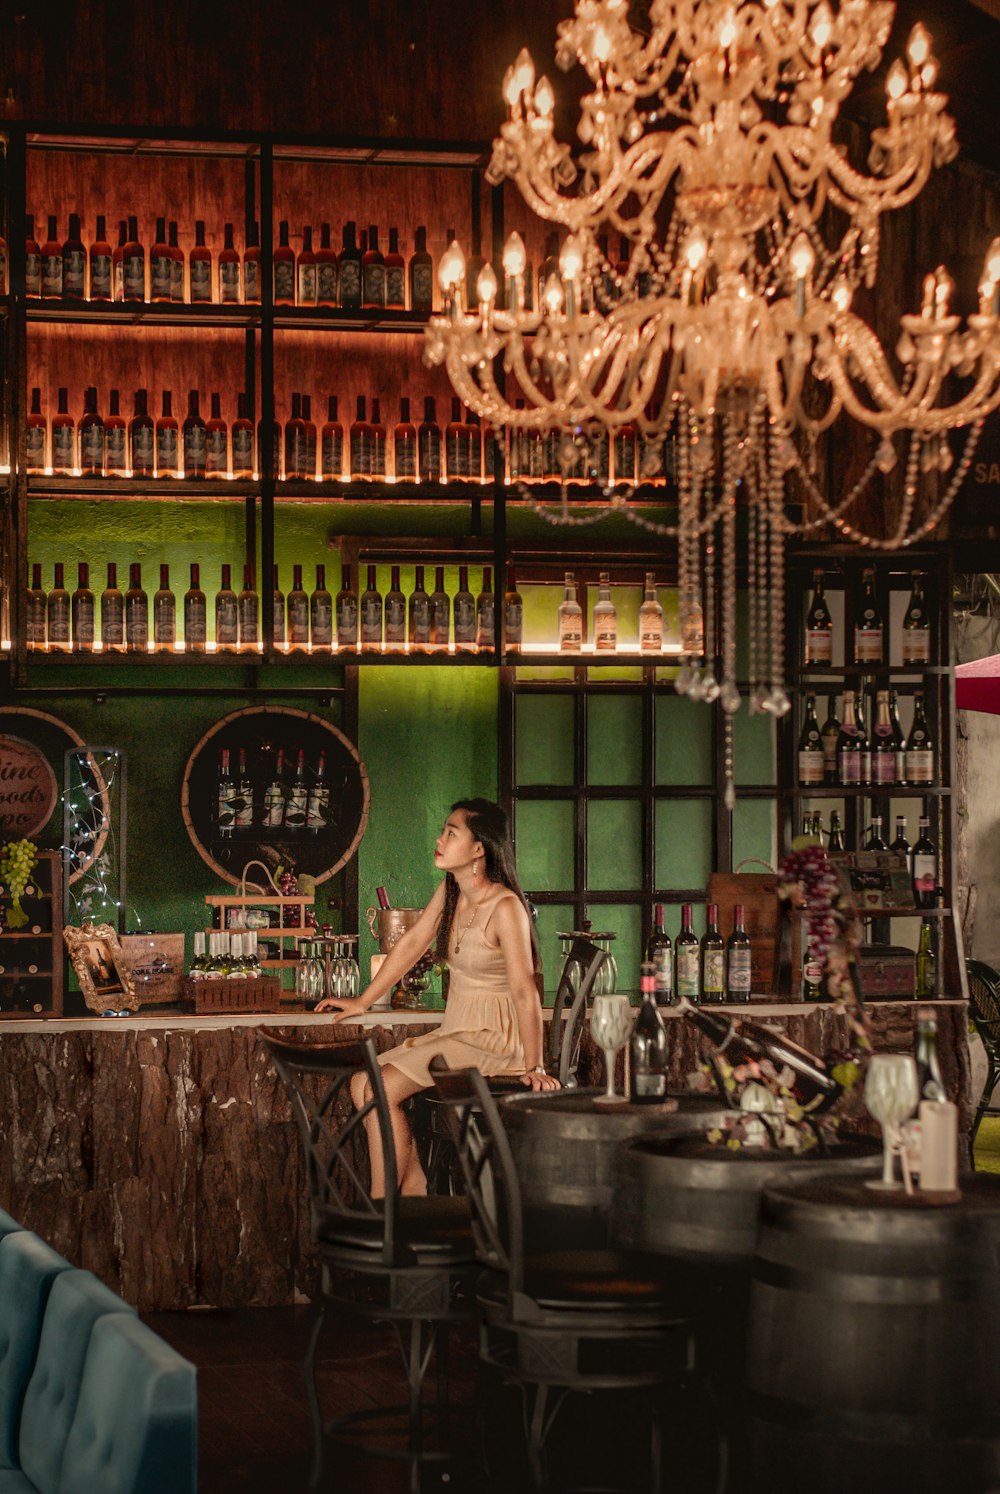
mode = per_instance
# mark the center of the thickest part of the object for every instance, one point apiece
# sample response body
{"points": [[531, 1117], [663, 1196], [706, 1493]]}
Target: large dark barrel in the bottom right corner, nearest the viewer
{"points": [[872, 1357]]}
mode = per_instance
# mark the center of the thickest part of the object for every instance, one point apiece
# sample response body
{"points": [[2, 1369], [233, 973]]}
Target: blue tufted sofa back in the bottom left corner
{"points": [[92, 1402]]}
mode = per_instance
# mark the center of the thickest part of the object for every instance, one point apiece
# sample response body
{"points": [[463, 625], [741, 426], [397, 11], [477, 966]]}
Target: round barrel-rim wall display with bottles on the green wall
{"points": [[301, 797]]}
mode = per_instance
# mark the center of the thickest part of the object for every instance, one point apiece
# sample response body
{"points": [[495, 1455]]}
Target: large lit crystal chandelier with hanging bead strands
{"points": [[730, 329]]}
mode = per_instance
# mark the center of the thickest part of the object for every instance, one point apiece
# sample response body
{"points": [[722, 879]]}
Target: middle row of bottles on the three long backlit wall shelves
{"points": [[111, 446]]}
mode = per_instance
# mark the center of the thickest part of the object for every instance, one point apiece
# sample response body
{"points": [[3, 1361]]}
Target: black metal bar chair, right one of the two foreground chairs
{"points": [[557, 1324]]}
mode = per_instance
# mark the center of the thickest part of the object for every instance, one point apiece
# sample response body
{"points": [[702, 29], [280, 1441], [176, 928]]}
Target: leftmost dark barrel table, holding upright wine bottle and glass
{"points": [[569, 1150]]}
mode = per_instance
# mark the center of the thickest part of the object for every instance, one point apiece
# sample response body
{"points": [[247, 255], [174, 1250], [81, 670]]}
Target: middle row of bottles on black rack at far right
{"points": [[842, 752]]}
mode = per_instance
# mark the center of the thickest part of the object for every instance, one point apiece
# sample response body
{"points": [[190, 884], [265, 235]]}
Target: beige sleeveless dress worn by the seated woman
{"points": [[481, 1023]]}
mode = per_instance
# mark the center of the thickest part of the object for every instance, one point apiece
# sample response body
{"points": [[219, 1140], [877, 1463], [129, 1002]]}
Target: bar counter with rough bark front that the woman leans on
{"points": [[161, 1154]]}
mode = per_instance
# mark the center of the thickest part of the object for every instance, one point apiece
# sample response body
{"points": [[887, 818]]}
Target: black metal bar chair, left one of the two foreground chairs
{"points": [[406, 1262]]}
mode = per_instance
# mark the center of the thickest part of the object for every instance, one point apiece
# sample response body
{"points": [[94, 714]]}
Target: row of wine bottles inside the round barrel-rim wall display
{"points": [[298, 805]]}
